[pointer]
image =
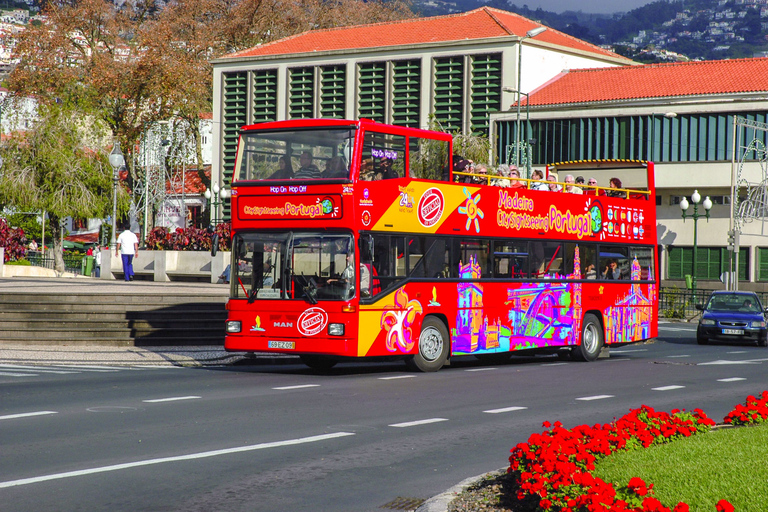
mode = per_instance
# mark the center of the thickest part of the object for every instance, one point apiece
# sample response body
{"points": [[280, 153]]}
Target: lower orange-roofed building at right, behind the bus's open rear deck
{"points": [[681, 116]]}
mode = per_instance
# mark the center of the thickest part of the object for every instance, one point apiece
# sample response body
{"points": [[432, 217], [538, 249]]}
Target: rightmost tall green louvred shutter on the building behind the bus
{"points": [[485, 96]]}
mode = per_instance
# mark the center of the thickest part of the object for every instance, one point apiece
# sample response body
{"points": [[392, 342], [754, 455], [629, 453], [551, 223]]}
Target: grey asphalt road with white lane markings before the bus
{"points": [[365, 437]]}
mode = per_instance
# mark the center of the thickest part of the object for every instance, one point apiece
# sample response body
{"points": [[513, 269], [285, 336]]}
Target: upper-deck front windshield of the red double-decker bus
{"points": [[310, 154]]}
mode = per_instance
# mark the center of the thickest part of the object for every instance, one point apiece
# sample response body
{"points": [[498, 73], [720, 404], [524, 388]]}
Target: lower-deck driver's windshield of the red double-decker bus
{"points": [[309, 266]]}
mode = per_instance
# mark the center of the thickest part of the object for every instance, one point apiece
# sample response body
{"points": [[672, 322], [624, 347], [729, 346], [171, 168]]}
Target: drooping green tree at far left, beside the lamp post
{"points": [[54, 168]]}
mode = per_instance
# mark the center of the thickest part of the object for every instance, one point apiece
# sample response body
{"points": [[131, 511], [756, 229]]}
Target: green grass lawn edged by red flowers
{"points": [[726, 463]]}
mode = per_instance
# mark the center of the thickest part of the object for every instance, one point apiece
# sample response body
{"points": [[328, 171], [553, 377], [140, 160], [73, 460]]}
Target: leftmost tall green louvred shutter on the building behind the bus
{"points": [[235, 113]]}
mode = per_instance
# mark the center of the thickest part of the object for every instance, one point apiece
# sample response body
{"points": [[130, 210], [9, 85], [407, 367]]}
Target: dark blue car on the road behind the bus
{"points": [[731, 316]]}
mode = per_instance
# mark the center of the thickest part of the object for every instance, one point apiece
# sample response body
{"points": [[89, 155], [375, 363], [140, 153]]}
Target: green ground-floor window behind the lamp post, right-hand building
{"points": [[711, 262]]}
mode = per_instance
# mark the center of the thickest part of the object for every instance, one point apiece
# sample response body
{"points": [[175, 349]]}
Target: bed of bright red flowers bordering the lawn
{"points": [[556, 466]]}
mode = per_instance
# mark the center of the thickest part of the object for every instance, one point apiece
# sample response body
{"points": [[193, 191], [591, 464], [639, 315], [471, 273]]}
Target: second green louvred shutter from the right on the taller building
{"points": [[449, 92]]}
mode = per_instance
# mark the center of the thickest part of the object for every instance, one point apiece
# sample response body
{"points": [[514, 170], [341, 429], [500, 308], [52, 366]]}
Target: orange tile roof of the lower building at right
{"points": [[653, 81]]}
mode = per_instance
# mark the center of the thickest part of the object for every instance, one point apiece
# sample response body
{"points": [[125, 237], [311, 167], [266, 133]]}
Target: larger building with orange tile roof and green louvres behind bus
{"points": [[459, 68]]}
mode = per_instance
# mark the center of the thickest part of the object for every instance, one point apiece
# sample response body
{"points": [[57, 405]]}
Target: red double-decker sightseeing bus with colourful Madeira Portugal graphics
{"points": [[355, 239]]}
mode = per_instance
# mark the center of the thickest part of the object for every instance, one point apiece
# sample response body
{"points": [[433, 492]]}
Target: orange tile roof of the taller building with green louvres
{"points": [[481, 23]]}
